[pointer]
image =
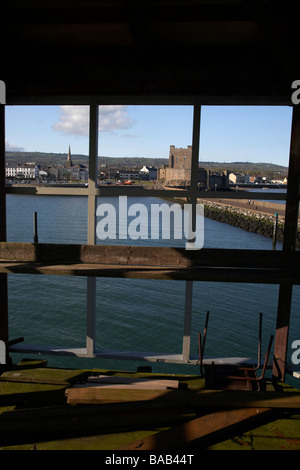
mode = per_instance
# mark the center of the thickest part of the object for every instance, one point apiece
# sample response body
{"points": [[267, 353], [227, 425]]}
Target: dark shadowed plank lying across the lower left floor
{"points": [[63, 422]]}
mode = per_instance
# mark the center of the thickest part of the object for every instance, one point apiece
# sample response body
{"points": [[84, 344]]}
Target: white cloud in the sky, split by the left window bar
{"points": [[74, 120]]}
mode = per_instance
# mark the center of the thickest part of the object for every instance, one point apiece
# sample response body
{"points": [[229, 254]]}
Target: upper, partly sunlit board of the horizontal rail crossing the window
{"points": [[145, 256]]}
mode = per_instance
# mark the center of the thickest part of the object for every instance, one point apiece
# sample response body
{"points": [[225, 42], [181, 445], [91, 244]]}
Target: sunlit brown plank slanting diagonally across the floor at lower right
{"points": [[198, 429]]}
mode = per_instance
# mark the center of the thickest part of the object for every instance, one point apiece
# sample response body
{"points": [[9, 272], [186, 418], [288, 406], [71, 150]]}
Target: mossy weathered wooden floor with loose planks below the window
{"points": [[124, 419]]}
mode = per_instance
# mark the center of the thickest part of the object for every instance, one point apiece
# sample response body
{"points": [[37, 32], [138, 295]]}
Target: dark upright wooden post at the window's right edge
{"points": [[289, 247]]}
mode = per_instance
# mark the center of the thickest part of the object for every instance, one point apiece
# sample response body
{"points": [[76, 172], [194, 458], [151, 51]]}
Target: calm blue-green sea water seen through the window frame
{"points": [[143, 315]]}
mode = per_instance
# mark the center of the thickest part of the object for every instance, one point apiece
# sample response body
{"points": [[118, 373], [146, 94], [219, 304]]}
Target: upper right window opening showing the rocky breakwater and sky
{"points": [[243, 163]]}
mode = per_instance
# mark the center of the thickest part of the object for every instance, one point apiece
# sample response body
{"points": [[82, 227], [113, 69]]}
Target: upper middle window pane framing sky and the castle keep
{"points": [[137, 145]]}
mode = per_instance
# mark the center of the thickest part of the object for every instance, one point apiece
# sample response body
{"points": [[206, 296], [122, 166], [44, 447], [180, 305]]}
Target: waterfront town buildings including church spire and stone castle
{"points": [[176, 173]]}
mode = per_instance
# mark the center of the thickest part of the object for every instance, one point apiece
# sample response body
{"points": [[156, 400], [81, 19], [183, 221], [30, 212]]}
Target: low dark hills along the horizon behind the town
{"points": [[48, 159]]}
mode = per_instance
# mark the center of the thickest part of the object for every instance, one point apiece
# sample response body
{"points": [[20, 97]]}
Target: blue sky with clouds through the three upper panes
{"points": [[228, 134]]}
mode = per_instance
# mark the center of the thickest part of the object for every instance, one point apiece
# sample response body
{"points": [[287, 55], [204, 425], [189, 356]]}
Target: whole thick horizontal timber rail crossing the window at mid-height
{"points": [[254, 266]]}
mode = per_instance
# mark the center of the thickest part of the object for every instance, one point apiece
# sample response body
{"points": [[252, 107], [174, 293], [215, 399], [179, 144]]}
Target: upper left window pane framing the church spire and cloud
{"points": [[47, 145]]}
